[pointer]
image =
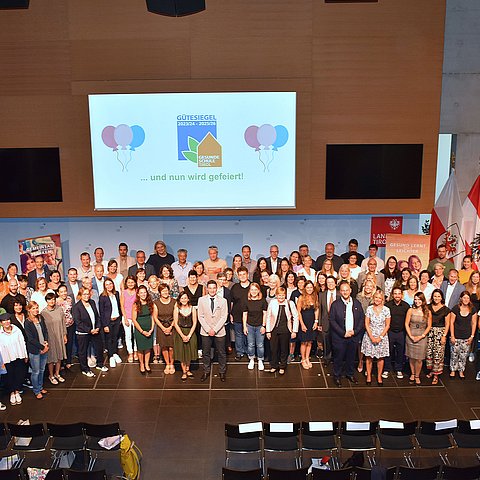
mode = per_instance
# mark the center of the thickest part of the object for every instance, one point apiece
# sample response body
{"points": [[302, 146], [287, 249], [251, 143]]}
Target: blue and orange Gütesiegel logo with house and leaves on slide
{"points": [[197, 140]]}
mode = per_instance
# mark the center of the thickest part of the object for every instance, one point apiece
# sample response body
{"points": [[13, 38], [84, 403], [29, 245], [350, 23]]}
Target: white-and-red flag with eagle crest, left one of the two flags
{"points": [[447, 221]]}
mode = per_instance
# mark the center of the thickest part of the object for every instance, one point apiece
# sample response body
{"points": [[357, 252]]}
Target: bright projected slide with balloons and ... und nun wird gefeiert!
{"points": [[193, 151]]}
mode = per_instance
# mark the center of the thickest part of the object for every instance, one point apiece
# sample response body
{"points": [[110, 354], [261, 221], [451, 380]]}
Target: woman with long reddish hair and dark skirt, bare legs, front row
{"points": [[308, 314]]}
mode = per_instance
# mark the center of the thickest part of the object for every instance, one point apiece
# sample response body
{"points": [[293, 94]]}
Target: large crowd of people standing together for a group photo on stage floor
{"points": [[268, 308]]}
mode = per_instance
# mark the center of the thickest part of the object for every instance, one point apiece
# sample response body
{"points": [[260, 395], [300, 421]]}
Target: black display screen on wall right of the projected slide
{"points": [[374, 171]]}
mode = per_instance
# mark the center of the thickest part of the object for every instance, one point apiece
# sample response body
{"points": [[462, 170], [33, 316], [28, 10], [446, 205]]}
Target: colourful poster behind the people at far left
{"points": [[49, 246]]}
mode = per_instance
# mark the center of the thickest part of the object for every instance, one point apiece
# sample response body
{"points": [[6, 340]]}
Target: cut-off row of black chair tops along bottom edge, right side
{"points": [[444, 472]]}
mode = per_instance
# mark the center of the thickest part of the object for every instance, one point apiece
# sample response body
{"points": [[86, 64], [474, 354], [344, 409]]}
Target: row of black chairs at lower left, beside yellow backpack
{"points": [[60, 439]]}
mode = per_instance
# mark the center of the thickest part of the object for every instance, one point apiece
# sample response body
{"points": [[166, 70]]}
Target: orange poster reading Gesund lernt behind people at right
{"points": [[411, 251]]}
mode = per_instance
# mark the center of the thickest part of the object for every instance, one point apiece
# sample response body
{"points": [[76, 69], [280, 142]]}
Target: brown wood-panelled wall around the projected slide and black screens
{"points": [[366, 73]]}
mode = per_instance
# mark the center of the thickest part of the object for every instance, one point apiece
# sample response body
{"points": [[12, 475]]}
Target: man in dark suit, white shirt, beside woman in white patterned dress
{"points": [[347, 326]]}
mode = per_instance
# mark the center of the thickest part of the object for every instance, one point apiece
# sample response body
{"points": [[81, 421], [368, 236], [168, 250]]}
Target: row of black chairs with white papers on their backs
{"points": [[261, 438]]}
